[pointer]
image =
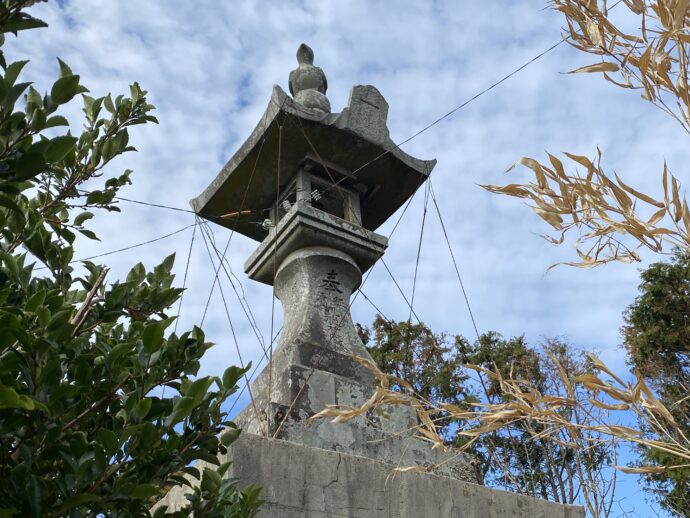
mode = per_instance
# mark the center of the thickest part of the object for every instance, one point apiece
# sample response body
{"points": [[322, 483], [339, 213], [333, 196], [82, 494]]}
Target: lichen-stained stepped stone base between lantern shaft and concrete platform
{"points": [[384, 434]]}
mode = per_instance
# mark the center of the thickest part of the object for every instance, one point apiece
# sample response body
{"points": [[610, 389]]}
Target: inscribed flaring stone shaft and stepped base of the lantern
{"points": [[313, 366]]}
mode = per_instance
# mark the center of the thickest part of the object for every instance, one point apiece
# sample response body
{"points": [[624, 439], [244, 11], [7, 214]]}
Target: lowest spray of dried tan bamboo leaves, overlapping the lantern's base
{"points": [[542, 415]]}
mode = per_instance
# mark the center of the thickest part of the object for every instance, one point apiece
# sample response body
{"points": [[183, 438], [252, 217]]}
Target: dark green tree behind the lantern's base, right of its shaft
{"points": [[517, 459]]}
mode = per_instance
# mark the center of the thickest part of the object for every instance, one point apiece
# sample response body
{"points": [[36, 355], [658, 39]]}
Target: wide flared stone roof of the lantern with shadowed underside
{"points": [[285, 135]]}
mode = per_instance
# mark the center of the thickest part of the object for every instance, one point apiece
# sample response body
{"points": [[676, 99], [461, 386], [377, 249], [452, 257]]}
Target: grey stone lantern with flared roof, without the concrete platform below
{"points": [[312, 187]]}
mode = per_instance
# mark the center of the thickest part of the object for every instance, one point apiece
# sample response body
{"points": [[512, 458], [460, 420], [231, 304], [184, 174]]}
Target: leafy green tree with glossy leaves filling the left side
{"points": [[85, 427]]}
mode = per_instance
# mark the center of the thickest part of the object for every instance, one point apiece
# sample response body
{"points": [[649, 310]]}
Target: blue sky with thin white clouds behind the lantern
{"points": [[210, 66]]}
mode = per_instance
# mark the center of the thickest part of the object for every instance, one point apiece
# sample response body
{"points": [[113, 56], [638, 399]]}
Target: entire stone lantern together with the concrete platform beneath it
{"points": [[312, 187]]}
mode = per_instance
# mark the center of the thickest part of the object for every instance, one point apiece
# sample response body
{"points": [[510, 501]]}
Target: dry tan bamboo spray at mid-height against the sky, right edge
{"points": [[611, 218]]}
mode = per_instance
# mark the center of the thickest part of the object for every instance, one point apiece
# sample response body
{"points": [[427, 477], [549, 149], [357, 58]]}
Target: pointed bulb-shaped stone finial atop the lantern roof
{"points": [[308, 83]]}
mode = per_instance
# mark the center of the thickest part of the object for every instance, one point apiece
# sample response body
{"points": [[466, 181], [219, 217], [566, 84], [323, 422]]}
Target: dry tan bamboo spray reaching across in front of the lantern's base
{"points": [[552, 416]]}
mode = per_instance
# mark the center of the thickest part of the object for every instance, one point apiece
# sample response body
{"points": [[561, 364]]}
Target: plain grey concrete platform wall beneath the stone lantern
{"points": [[303, 482]]}
